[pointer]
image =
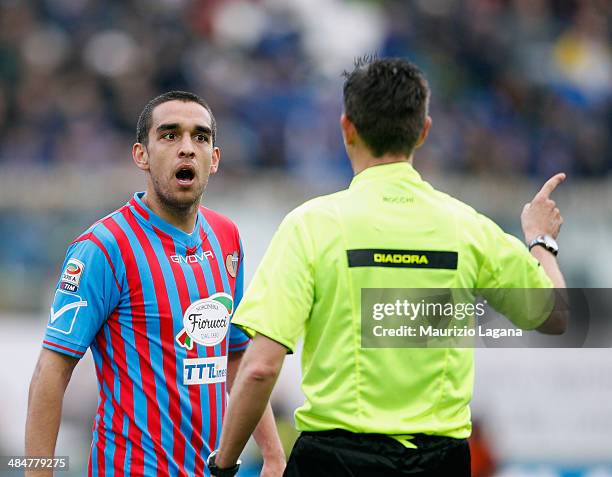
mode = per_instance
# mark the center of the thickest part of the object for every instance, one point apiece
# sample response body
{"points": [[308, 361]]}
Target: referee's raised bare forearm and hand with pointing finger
{"points": [[542, 217]]}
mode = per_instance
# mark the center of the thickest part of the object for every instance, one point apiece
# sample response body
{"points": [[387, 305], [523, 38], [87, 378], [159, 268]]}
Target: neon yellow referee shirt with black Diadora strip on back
{"points": [[304, 287]]}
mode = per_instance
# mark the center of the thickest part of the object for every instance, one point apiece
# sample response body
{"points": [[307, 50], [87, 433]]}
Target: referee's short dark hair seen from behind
{"points": [[387, 101]]}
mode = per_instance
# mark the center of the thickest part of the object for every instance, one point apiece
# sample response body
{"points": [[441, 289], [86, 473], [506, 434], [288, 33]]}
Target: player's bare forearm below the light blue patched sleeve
{"points": [[47, 388]]}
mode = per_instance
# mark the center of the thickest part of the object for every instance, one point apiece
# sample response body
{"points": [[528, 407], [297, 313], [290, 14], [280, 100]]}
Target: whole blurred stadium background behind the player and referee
{"points": [[521, 89]]}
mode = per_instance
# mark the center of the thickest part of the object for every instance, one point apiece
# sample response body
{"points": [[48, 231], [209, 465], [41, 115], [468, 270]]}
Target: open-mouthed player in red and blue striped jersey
{"points": [[151, 289]]}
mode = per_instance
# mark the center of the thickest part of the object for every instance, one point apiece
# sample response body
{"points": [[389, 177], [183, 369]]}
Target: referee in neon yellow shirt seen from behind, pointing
{"points": [[386, 412]]}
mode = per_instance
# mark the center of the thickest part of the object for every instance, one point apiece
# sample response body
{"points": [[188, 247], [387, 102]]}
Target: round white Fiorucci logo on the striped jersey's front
{"points": [[206, 321]]}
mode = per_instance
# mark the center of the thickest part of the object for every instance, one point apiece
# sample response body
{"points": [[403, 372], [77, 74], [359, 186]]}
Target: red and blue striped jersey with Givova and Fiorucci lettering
{"points": [[154, 305]]}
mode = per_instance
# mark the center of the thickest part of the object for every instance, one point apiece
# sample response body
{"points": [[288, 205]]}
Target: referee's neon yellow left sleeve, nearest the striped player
{"points": [[278, 301]]}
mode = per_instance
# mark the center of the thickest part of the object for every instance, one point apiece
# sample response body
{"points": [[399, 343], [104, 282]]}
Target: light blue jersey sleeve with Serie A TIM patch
{"points": [[85, 295]]}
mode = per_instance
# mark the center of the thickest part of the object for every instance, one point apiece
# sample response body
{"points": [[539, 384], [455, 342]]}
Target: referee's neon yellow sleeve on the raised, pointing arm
{"points": [[512, 280]]}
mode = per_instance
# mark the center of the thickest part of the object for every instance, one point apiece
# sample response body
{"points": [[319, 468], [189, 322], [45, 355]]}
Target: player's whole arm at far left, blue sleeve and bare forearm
{"points": [[85, 294]]}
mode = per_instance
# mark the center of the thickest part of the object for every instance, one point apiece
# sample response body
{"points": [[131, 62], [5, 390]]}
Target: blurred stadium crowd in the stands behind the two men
{"points": [[519, 86]]}
